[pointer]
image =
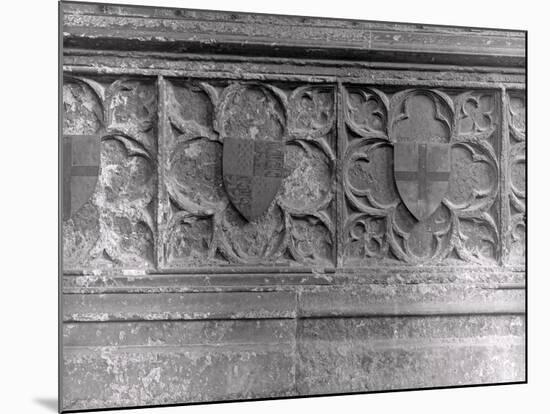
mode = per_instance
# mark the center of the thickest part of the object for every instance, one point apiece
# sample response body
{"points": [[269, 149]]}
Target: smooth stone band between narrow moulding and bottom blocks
{"points": [[317, 302]]}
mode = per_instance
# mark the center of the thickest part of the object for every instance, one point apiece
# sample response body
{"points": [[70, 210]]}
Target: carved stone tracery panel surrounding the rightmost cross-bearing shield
{"points": [[378, 226]]}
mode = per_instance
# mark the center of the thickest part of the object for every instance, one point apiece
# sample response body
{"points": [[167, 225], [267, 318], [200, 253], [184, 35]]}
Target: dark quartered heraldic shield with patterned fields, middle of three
{"points": [[252, 173]]}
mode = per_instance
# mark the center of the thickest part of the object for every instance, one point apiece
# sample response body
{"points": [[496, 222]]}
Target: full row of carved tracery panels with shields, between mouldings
{"points": [[420, 174]]}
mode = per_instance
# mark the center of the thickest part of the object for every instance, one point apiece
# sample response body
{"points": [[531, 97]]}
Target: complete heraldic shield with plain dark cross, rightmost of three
{"points": [[422, 172]]}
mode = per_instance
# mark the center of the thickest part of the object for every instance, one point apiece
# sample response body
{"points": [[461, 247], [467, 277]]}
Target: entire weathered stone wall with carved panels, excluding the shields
{"points": [[170, 295]]}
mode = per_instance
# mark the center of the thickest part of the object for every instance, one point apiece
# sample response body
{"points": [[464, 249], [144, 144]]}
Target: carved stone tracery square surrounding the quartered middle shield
{"points": [[200, 225]]}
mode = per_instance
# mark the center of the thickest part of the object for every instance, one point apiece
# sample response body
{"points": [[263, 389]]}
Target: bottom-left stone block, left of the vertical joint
{"points": [[119, 364]]}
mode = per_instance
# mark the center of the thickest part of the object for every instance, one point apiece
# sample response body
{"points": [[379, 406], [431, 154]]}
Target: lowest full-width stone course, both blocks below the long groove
{"points": [[128, 363]]}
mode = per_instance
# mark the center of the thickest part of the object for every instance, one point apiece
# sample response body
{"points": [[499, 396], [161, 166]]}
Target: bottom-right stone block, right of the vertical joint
{"points": [[369, 354]]}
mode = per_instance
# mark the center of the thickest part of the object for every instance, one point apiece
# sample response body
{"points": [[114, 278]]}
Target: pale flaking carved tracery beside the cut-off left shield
{"points": [[115, 227]]}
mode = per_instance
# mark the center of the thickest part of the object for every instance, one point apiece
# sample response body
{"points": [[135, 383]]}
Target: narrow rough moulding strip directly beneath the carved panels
{"points": [[494, 278]]}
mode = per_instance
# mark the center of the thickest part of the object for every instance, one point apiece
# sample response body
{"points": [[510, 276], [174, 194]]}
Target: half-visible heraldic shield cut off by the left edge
{"points": [[81, 155]]}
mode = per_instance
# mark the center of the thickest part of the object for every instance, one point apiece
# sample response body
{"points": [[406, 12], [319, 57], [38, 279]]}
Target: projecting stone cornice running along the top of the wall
{"points": [[94, 26]]}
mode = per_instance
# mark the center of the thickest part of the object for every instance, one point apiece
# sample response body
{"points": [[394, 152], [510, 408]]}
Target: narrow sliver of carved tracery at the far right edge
{"points": [[515, 108]]}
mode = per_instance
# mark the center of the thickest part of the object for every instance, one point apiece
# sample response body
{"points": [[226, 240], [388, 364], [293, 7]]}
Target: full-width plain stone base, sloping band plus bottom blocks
{"points": [[136, 349]]}
